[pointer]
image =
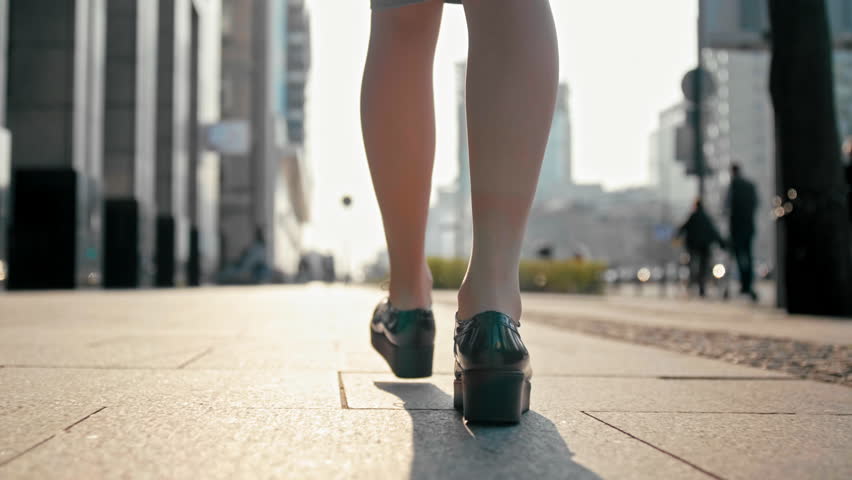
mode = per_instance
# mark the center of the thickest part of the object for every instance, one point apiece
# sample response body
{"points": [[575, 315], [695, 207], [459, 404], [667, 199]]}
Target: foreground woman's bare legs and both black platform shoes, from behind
{"points": [[512, 75]]}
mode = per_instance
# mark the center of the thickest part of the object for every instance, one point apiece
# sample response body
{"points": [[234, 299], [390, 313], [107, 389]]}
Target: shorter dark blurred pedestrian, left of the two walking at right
{"points": [[700, 234]]}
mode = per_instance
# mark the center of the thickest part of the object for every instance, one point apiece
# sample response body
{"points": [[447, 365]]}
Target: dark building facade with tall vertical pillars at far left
{"points": [[103, 105]]}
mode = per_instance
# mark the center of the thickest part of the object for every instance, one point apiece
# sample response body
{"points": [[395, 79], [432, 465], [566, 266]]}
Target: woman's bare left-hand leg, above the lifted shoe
{"points": [[398, 121]]}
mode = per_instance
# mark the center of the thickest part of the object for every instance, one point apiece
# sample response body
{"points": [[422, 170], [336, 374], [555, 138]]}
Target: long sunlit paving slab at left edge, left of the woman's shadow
{"points": [[42, 402]]}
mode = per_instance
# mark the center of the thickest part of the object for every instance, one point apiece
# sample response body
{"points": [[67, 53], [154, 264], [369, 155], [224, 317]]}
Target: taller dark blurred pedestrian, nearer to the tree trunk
{"points": [[741, 205]]}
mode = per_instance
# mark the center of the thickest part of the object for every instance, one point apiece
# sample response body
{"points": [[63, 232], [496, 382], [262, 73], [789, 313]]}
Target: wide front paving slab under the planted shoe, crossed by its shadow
{"points": [[160, 441]]}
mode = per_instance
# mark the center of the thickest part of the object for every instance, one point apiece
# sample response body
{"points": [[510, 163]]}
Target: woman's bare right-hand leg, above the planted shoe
{"points": [[512, 77]]}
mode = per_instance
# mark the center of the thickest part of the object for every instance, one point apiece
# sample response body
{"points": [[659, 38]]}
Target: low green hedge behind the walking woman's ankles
{"points": [[563, 276]]}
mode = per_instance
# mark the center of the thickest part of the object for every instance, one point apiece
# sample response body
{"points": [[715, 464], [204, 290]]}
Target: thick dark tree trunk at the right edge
{"points": [[817, 269]]}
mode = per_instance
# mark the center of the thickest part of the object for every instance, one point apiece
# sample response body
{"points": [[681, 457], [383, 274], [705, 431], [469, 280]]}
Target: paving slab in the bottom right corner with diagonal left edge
{"points": [[748, 446]]}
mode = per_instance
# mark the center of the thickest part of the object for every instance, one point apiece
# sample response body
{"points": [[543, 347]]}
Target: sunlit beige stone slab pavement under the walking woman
{"points": [[278, 382]]}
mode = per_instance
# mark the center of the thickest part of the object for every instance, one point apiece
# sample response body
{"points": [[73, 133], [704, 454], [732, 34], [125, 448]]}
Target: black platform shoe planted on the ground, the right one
{"points": [[492, 383]]}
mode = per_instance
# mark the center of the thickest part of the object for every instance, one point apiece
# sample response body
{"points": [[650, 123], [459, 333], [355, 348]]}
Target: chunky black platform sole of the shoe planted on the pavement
{"points": [[487, 396]]}
